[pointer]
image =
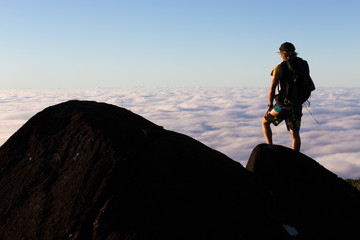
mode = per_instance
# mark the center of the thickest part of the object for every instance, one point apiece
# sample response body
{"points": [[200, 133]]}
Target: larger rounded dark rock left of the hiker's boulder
{"points": [[86, 170]]}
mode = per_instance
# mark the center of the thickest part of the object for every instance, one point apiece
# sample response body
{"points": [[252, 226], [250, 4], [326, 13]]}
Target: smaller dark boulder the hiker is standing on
{"points": [[315, 201]]}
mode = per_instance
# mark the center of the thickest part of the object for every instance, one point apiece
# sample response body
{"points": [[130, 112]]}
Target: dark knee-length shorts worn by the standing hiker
{"points": [[292, 117]]}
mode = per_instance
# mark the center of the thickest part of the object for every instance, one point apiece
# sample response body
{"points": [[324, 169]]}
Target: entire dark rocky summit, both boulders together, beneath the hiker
{"points": [[87, 170]]}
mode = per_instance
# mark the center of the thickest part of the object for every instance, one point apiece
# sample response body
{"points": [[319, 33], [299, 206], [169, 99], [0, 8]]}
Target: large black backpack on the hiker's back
{"points": [[297, 85]]}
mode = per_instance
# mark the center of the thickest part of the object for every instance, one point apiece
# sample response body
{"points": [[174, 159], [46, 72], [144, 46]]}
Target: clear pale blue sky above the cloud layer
{"points": [[174, 43]]}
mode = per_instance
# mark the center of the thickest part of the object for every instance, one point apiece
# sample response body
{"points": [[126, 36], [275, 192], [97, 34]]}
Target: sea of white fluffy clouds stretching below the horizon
{"points": [[226, 119]]}
